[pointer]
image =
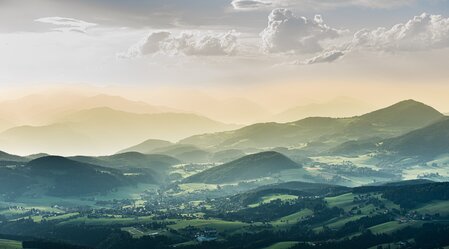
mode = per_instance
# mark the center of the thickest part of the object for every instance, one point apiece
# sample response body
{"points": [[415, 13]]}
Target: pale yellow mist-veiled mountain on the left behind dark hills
{"points": [[104, 131]]}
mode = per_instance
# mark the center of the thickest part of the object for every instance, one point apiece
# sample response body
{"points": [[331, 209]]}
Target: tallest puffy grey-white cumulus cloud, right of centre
{"points": [[288, 33]]}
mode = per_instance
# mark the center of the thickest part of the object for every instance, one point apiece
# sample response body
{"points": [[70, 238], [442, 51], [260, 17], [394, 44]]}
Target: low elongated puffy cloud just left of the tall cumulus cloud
{"points": [[199, 44]]}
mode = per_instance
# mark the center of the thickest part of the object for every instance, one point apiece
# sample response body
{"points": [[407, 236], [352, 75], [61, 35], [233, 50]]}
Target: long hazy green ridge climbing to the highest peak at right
{"points": [[389, 122]]}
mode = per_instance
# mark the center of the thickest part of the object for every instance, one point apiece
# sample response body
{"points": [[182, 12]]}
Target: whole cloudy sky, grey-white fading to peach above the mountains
{"points": [[273, 52]]}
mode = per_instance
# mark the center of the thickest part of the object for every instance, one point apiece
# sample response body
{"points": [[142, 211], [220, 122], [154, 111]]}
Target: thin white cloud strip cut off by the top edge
{"points": [[313, 4]]}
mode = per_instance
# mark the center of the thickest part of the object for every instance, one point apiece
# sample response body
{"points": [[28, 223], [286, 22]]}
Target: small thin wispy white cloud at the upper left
{"points": [[67, 24]]}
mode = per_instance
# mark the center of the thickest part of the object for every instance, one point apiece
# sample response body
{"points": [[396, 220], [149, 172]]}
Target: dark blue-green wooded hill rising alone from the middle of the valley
{"points": [[248, 167]]}
